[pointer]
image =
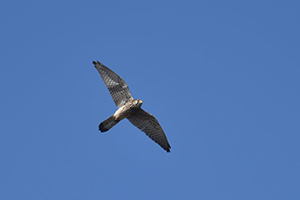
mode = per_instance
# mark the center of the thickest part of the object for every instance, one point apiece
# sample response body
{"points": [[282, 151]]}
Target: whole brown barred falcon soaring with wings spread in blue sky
{"points": [[129, 108]]}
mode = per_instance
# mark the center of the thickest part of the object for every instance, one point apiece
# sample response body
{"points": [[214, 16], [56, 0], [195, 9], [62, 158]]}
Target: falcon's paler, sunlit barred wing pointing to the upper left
{"points": [[117, 87]]}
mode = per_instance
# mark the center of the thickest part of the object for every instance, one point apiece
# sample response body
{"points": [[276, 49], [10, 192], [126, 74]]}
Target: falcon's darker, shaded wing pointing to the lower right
{"points": [[148, 124]]}
